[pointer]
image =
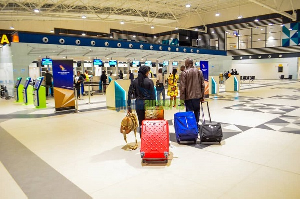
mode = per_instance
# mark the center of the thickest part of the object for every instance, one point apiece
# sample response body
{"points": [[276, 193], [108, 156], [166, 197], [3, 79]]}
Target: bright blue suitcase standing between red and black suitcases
{"points": [[186, 128]]}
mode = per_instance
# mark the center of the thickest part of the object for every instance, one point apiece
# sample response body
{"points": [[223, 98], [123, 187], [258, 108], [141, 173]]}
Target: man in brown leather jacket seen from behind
{"points": [[192, 88]]}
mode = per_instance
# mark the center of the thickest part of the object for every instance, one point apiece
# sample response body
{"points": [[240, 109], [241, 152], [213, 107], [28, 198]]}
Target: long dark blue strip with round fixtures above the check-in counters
{"points": [[96, 42]]}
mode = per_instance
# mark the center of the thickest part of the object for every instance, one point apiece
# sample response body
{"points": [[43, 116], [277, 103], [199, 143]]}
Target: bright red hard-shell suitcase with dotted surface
{"points": [[155, 140]]}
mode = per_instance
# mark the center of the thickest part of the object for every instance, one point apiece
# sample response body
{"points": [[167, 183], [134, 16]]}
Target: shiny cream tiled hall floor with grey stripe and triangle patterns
{"points": [[82, 155]]}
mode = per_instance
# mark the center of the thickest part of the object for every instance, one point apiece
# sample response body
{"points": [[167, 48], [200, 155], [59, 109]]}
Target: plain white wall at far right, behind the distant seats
{"points": [[266, 68]]}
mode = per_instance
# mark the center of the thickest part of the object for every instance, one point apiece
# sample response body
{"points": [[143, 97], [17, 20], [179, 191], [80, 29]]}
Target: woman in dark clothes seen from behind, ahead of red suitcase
{"points": [[143, 89]]}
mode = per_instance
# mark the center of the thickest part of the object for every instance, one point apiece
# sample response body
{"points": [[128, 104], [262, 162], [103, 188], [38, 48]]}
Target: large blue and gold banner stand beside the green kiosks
{"points": [[63, 84]]}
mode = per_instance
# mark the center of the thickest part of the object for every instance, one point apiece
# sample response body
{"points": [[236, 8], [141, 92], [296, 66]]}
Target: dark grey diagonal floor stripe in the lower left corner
{"points": [[37, 179]]}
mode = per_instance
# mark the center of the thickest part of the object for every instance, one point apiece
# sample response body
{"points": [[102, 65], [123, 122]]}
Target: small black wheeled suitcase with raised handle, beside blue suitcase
{"points": [[209, 131]]}
